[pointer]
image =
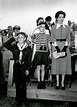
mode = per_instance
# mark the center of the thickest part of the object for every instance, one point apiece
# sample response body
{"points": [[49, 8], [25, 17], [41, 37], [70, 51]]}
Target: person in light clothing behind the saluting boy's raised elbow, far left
{"points": [[6, 54]]}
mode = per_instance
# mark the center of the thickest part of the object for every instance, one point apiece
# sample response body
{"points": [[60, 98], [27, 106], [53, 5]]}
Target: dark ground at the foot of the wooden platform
{"points": [[10, 101]]}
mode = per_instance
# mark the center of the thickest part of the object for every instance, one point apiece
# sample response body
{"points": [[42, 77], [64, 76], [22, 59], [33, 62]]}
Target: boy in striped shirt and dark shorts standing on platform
{"points": [[43, 50]]}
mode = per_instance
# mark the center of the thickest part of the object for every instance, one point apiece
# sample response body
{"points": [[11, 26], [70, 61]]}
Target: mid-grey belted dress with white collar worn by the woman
{"points": [[61, 65]]}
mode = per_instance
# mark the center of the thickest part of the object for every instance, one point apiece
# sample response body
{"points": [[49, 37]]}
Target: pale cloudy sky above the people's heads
{"points": [[26, 12]]}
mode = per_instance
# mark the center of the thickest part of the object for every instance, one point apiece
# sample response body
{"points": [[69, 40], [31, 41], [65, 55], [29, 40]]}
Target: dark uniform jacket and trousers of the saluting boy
{"points": [[19, 68]]}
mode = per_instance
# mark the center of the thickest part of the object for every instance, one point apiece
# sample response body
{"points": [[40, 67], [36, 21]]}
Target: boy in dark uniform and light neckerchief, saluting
{"points": [[22, 60]]}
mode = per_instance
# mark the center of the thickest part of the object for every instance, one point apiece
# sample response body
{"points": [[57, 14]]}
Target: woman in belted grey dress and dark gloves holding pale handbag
{"points": [[61, 60]]}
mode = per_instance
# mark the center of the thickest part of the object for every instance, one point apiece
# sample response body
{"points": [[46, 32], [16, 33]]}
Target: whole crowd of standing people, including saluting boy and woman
{"points": [[48, 41]]}
